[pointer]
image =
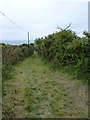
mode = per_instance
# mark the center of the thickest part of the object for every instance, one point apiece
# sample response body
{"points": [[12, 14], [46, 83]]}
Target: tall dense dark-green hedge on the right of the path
{"points": [[65, 49]]}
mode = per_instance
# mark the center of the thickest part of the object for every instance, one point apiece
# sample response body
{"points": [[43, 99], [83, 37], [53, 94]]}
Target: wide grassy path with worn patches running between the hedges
{"points": [[36, 91]]}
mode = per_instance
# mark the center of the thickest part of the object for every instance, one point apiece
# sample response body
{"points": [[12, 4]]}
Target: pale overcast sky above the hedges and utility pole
{"points": [[41, 17]]}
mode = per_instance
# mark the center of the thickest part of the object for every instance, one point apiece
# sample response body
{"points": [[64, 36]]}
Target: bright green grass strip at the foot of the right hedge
{"points": [[71, 70]]}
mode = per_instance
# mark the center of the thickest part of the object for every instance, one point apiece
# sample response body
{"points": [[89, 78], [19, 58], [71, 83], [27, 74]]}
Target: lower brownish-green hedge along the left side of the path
{"points": [[12, 55]]}
